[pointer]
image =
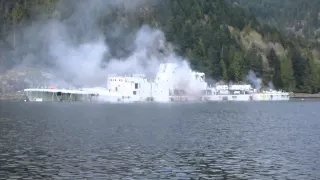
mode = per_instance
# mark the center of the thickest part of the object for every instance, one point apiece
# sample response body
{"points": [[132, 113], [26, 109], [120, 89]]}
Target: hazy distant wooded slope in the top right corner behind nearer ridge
{"points": [[298, 17]]}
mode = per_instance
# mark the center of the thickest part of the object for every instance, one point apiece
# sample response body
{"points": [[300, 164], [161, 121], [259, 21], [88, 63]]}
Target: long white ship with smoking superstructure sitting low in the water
{"points": [[172, 83]]}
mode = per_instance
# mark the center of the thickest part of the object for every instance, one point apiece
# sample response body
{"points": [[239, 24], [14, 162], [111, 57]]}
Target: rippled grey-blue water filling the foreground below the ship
{"points": [[254, 140]]}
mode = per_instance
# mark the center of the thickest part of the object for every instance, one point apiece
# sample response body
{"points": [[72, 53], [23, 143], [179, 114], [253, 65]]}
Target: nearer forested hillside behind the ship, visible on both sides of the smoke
{"points": [[218, 37]]}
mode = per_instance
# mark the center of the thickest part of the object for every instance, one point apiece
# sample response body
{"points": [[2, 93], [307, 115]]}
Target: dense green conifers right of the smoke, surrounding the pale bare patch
{"points": [[200, 28]]}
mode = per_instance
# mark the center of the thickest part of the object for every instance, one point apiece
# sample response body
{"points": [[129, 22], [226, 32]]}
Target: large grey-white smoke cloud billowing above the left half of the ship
{"points": [[75, 50]]}
